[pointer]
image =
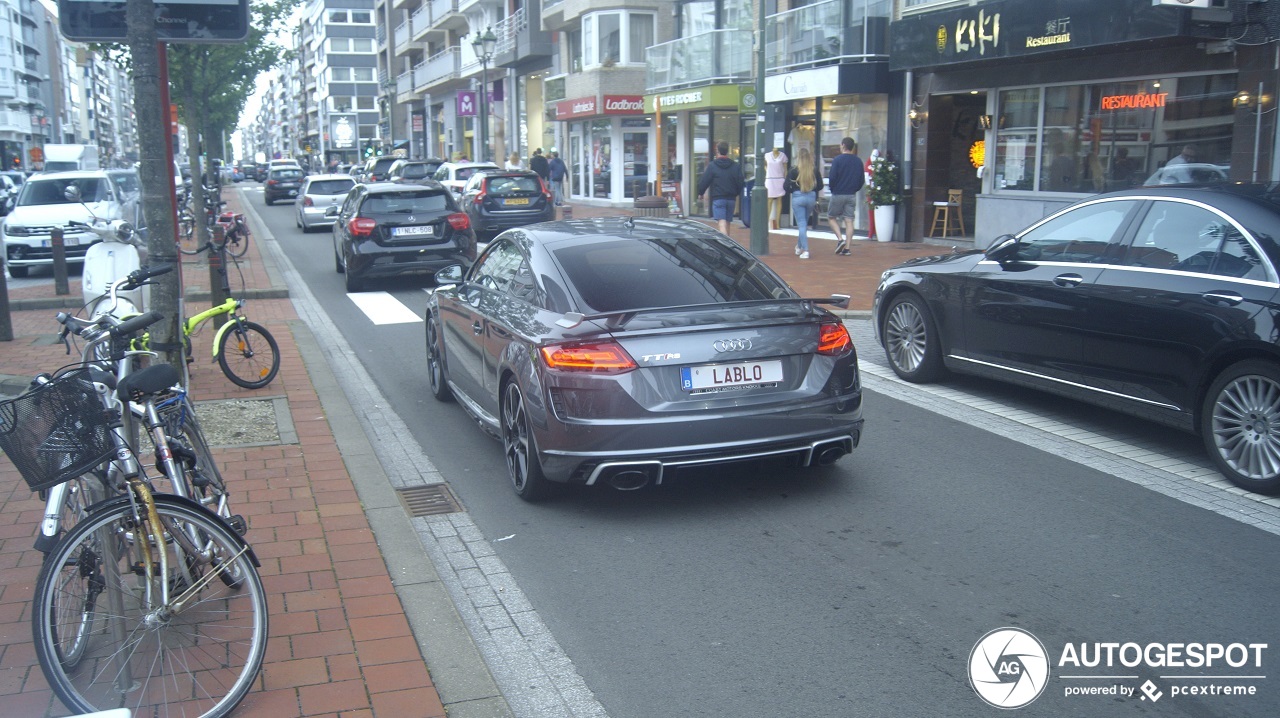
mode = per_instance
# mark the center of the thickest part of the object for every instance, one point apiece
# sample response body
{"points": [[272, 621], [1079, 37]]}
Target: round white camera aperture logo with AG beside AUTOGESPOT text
{"points": [[1009, 669]]}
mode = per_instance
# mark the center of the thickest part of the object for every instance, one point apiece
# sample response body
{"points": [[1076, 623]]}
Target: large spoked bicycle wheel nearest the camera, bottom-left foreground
{"points": [[196, 656]]}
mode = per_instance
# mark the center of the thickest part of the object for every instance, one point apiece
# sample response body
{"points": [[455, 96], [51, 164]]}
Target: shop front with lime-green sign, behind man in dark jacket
{"points": [[692, 122]]}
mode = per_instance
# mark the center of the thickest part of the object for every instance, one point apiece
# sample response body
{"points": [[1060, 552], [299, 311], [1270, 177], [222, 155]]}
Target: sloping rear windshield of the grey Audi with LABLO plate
{"points": [[639, 273]]}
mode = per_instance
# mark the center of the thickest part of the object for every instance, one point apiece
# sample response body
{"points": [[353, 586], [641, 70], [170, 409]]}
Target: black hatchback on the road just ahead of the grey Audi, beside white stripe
{"points": [[387, 230]]}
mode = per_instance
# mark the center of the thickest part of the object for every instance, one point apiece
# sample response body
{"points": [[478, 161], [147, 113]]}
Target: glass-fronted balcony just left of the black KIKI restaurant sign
{"points": [[828, 34]]}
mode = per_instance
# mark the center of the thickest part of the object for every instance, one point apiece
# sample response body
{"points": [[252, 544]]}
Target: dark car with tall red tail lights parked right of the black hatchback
{"points": [[499, 200]]}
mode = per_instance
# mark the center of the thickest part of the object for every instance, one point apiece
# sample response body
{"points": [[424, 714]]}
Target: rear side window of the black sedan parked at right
{"points": [[1183, 237]]}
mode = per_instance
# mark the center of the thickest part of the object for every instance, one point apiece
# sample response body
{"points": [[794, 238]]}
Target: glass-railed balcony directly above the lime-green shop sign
{"points": [[721, 56]]}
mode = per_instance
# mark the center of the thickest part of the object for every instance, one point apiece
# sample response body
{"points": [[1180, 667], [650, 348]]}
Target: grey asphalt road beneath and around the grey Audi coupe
{"points": [[858, 589]]}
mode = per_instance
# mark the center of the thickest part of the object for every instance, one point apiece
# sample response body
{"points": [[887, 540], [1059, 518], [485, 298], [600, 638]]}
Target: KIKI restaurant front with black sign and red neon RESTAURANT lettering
{"points": [[1027, 108]]}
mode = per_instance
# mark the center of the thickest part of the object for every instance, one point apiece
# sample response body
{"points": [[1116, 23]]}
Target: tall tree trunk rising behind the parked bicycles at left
{"points": [[157, 166]]}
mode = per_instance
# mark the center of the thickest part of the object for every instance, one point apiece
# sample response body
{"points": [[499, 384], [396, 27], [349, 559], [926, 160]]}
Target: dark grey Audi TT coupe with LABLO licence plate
{"points": [[619, 351]]}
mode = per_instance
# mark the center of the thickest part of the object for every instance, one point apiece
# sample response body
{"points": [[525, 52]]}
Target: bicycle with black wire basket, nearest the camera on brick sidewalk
{"points": [[170, 637]]}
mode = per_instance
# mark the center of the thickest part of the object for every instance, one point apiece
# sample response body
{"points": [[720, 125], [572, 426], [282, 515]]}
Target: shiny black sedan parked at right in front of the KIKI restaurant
{"points": [[1160, 303]]}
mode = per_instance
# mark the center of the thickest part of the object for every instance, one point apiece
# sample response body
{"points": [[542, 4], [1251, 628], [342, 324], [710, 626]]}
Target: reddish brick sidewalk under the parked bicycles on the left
{"points": [[340, 641]]}
